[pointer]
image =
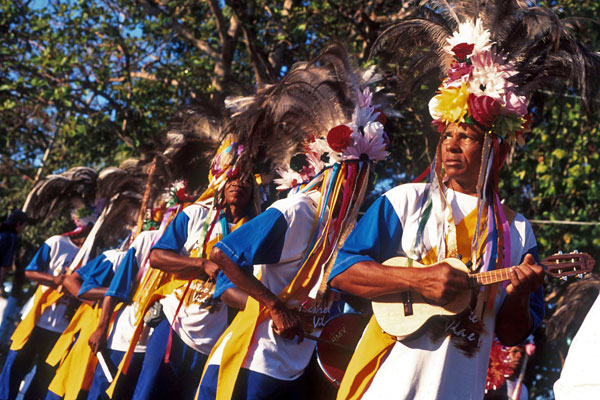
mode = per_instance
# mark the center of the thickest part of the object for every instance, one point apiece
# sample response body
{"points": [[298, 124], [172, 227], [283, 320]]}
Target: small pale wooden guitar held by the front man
{"points": [[403, 314]]}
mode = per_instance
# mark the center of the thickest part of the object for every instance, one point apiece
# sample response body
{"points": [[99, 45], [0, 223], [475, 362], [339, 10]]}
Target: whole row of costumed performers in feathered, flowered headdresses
{"points": [[224, 297]]}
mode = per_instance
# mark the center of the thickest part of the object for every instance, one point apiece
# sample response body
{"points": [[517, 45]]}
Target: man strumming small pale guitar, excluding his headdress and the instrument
{"points": [[449, 358]]}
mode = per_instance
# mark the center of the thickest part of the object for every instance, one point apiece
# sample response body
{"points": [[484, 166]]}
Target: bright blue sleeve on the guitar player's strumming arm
{"points": [[376, 237]]}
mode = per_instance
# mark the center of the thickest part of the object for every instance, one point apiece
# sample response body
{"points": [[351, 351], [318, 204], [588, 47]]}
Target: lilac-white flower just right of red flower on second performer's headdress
{"points": [[370, 142]]}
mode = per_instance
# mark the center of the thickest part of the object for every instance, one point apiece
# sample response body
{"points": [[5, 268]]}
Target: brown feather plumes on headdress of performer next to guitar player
{"points": [[283, 118]]}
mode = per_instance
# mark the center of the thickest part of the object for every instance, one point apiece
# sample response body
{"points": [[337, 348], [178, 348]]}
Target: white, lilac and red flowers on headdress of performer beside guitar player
{"points": [[364, 138]]}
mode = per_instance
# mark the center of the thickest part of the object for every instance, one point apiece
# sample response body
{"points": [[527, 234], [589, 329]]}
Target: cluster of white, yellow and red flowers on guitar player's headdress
{"points": [[478, 89]]}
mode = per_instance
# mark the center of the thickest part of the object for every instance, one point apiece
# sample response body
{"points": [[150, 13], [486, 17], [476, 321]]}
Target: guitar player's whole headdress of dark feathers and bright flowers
{"points": [[495, 57]]}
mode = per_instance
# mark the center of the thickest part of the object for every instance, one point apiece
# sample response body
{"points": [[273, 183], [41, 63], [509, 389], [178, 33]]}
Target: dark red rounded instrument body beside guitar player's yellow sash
{"points": [[338, 339]]}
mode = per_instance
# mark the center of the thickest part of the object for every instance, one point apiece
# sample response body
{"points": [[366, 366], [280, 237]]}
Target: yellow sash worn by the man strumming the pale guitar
{"points": [[375, 344]]}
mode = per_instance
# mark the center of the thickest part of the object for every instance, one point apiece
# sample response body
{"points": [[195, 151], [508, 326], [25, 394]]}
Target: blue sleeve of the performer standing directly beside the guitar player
{"points": [[259, 241]]}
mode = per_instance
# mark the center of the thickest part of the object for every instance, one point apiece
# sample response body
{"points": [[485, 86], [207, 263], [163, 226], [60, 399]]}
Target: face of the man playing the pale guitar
{"points": [[461, 155]]}
